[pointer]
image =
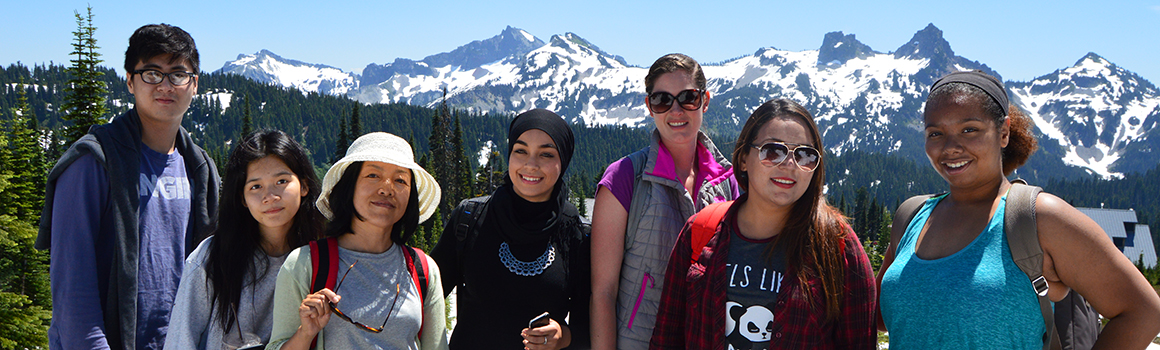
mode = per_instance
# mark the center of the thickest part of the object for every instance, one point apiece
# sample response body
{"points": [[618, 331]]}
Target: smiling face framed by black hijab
{"points": [[534, 166]]}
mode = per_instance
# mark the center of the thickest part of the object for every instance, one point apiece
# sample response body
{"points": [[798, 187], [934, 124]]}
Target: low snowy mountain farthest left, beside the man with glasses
{"points": [[267, 68]]}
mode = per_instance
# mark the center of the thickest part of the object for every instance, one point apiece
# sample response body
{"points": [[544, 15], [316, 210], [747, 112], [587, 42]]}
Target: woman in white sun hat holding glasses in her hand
{"points": [[375, 198]]}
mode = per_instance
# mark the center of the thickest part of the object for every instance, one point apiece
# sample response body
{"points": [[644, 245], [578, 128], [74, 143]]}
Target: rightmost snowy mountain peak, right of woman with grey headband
{"points": [[1104, 116]]}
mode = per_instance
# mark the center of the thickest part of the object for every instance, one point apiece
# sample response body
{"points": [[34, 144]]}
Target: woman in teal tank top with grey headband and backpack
{"points": [[948, 280]]}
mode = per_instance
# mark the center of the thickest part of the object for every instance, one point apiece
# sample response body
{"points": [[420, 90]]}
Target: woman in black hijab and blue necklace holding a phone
{"points": [[521, 252]]}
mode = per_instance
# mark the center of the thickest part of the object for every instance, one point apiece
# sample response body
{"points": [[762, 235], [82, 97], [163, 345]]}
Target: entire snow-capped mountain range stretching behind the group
{"points": [[1097, 116]]}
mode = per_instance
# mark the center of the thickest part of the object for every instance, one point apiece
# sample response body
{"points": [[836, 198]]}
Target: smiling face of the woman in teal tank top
{"points": [[963, 143]]}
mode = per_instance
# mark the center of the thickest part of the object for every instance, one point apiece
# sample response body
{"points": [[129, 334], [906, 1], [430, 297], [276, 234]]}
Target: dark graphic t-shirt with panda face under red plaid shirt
{"points": [[755, 278]]}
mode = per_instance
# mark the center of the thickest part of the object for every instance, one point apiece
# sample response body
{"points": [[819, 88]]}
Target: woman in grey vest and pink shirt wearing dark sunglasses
{"points": [[643, 201]]}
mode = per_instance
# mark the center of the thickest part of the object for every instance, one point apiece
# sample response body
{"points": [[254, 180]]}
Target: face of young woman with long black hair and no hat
{"points": [[273, 195]]}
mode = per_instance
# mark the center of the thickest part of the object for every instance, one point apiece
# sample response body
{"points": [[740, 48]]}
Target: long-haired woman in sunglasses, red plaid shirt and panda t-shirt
{"points": [[781, 266]]}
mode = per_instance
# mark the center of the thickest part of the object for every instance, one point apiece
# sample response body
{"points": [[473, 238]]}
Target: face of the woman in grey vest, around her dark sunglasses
{"points": [[677, 126]]}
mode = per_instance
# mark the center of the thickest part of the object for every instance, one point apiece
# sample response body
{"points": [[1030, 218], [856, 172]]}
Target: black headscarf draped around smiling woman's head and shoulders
{"points": [[520, 221]]}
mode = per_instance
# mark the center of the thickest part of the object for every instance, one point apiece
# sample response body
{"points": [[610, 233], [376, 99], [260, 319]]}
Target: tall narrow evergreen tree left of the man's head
{"points": [[85, 103]]}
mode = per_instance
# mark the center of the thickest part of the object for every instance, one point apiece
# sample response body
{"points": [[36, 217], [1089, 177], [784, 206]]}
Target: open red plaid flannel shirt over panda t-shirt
{"points": [[692, 312]]}
